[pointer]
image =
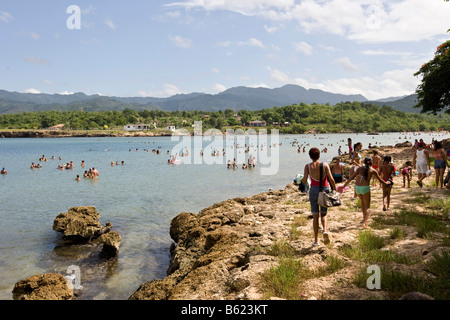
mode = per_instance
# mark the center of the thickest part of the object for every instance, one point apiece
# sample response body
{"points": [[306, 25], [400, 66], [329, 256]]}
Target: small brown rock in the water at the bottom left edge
{"points": [[49, 286]]}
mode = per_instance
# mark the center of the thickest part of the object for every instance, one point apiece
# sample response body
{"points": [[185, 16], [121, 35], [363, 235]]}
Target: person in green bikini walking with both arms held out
{"points": [[362, 187]]}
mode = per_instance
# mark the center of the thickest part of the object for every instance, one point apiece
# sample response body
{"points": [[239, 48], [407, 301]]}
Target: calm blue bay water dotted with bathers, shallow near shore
{"points": [[139, 198]]}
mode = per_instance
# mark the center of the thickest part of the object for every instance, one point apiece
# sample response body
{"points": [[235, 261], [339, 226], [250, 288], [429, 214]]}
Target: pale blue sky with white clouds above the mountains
{"points": [[147, 48]]}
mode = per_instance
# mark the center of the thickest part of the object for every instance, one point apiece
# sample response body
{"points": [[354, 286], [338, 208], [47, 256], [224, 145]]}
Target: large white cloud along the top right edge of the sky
{"points": [[364, 21]]}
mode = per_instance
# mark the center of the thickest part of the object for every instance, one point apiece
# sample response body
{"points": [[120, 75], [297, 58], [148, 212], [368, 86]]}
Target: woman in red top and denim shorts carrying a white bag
{"points": [[313, 171]]}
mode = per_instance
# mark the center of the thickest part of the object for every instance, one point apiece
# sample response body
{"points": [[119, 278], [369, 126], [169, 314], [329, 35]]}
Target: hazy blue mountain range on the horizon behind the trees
{"points": [[237, 98]]}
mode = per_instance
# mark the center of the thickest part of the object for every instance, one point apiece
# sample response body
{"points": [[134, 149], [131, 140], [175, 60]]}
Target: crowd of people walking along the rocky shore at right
{"points": [[367, 173]]}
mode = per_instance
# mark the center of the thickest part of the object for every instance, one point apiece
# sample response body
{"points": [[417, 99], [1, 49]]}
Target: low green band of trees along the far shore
{"points": [[296, 118]]}
